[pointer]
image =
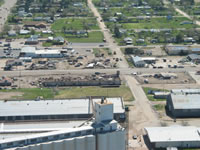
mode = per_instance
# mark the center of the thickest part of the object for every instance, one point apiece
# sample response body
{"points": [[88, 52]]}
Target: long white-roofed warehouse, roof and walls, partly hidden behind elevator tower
{"points": [[68, 109]]}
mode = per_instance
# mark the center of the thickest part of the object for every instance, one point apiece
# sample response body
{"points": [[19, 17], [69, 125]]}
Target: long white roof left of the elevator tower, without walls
{"points": [[44, 107]]}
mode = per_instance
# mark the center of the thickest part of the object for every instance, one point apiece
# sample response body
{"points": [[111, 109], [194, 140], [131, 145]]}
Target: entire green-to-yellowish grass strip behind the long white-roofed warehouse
{"points": [[72, 92]]}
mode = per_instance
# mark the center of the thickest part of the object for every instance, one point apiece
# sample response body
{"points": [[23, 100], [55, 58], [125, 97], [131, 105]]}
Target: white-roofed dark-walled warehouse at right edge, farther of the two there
{"points": [[184, 103]]}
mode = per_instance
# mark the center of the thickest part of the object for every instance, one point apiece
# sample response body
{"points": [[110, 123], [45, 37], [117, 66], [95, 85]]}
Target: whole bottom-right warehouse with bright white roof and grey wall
{"points": [[173, 136]]}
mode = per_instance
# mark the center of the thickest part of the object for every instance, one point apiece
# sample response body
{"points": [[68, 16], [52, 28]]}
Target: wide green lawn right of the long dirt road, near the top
{"points": [[158, 23]]}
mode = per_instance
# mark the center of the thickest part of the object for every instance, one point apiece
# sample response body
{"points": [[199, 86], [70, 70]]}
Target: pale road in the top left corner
{"points": [[4, 11]]}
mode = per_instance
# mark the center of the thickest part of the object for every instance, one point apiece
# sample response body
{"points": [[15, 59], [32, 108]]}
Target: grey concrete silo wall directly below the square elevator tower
{"points": [[111, 141]]}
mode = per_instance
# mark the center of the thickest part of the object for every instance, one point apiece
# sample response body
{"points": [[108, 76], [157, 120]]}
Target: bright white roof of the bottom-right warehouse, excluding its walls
{"points": [[173, 134]]}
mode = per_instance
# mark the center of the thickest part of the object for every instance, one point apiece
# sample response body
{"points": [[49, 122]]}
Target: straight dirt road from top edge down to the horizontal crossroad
{"points": [[108, 36]]}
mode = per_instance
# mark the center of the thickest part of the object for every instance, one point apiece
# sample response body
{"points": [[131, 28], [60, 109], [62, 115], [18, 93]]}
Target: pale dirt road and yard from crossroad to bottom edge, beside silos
{"points": [[141, 114]]}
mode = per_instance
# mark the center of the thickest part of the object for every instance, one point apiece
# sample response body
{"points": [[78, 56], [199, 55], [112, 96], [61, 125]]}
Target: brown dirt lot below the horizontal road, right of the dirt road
{"points": [[181, 78]]}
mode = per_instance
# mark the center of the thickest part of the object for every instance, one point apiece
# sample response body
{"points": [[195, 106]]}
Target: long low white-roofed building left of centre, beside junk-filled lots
{"points": [[34, 53]]}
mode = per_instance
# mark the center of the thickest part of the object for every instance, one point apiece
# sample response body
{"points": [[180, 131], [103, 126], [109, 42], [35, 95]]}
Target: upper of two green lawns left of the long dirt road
{"points": [[75, 24]]}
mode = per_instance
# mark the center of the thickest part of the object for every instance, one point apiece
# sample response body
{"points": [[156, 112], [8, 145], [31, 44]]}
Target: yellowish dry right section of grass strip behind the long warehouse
{"points": [[77, 92]]}
